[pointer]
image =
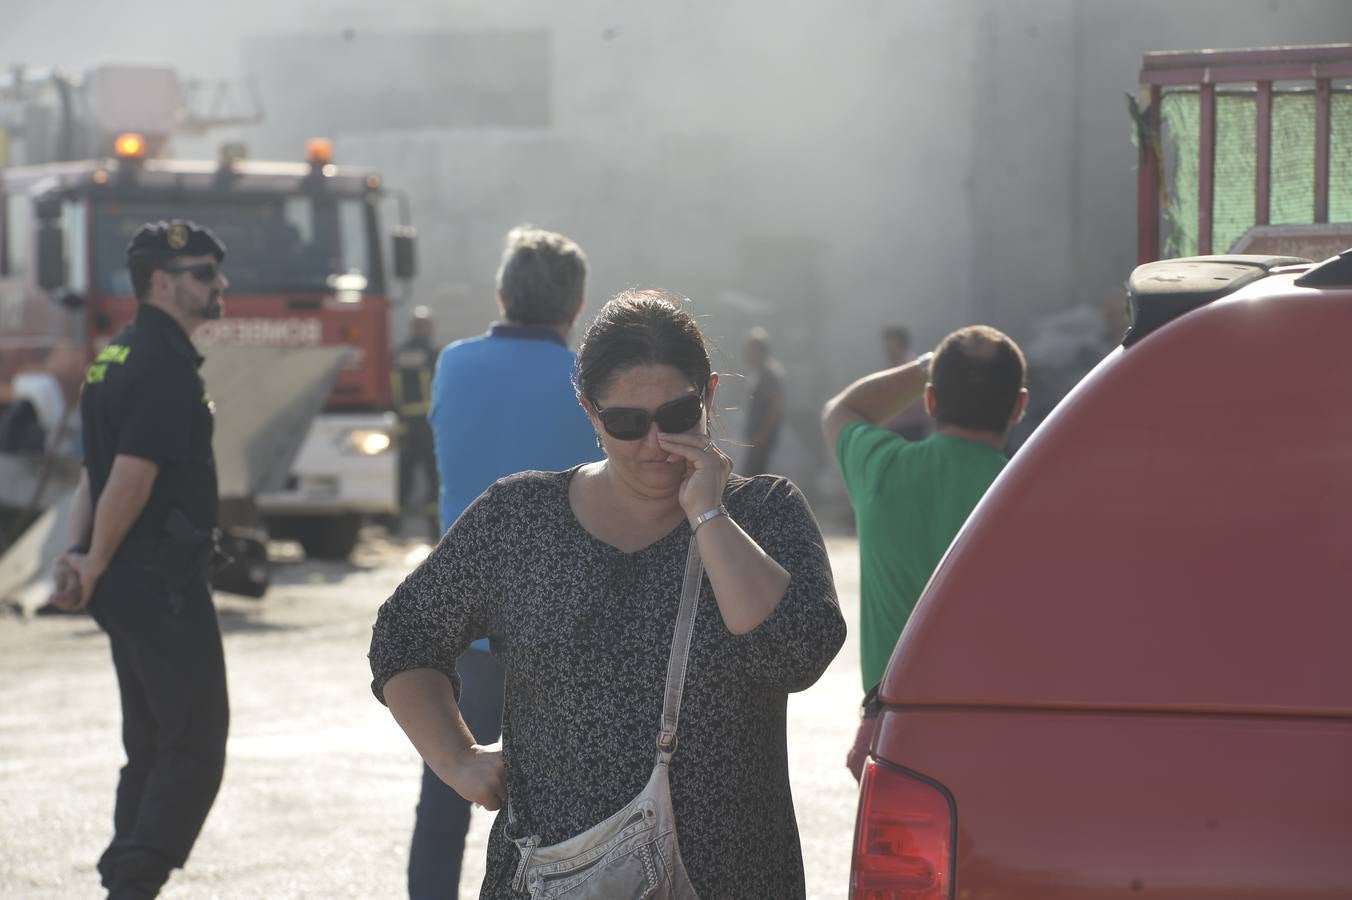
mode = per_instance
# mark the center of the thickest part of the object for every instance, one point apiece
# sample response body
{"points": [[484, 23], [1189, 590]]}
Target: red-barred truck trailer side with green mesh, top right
{"points": [[1246, 152]]}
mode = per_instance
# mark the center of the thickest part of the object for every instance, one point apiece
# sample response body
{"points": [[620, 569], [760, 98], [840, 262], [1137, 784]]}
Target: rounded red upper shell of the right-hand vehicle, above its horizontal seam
{"points": [[1176, 536]]}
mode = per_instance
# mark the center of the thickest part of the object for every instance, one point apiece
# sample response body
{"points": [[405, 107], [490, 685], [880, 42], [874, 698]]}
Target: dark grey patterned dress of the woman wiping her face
{"points": [[585, 630]]}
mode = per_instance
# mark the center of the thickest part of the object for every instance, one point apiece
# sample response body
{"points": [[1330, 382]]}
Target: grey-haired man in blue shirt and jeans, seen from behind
{"points": [[501, 403]]}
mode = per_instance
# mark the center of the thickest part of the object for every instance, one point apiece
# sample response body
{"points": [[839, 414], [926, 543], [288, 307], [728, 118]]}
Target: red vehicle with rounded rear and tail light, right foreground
{"points": [[1132, 674]]}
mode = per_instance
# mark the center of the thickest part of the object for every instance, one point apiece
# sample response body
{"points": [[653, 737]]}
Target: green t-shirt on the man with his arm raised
{"points": [[911, 499]]}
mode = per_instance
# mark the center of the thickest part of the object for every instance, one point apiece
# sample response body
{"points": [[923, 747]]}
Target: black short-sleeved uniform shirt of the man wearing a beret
{"points": [[144, 398]]}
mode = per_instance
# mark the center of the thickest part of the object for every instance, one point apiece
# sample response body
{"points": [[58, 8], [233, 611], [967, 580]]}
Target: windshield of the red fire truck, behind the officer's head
{"points": [[274, 245]]}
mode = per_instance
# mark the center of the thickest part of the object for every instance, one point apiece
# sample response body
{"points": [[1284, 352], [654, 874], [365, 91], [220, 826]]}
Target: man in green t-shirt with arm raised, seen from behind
{"points": [[912, 498]]}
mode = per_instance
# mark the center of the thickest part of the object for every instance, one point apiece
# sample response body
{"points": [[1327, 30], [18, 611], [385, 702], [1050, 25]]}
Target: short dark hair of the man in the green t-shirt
{"points": [[978, 374]]}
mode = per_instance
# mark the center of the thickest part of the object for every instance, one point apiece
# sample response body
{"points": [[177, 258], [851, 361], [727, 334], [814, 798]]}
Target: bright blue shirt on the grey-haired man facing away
{"points": [[504, 403]]}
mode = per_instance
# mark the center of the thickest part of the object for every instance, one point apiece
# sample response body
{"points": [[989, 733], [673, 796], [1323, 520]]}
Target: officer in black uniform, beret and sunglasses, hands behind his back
{"points": [[141, 526]]}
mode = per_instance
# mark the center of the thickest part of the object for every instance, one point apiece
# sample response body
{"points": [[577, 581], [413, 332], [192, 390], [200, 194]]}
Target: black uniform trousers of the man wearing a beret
{"points": [[175, 717]]}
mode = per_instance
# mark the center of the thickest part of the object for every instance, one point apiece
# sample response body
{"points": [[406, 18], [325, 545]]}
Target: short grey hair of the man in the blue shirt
{"points": [[543, 278]]}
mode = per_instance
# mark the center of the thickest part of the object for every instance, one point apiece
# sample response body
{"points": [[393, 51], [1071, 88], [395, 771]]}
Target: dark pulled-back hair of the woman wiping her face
{"points": [[642, 329]]}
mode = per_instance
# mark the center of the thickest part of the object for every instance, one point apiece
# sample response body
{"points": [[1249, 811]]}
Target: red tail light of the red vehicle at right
{"points": [[904, 839]]}
